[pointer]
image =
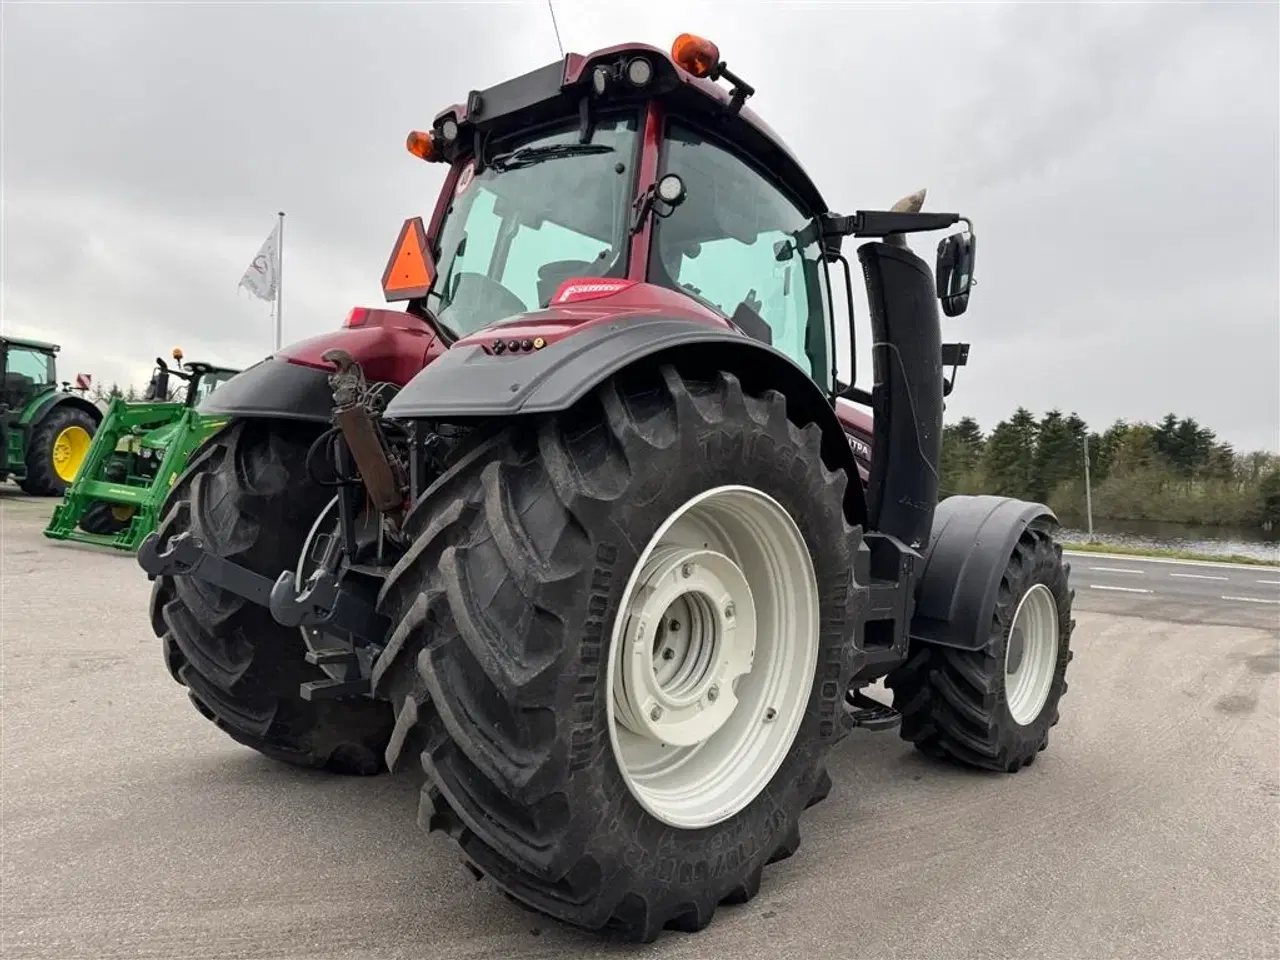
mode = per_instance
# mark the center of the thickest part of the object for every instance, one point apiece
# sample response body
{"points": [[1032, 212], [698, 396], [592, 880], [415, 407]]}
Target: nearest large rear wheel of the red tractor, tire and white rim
{"points": [[513, 668]]}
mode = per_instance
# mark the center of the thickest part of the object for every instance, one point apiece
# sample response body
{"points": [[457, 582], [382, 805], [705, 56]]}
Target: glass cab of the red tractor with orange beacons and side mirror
{"points": [[633, 176]]}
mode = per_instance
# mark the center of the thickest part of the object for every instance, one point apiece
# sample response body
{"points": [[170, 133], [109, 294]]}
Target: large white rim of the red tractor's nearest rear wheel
{"points": [[705, 711]]}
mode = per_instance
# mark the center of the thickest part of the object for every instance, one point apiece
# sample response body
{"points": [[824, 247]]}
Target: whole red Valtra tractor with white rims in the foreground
{"points": [[591, 532]]}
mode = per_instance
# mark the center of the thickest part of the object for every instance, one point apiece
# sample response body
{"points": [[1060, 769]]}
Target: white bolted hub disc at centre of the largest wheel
{"points": [[691, 637]]}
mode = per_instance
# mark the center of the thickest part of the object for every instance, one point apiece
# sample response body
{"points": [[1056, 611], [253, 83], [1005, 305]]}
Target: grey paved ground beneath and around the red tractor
{"points": [[132, 829]]}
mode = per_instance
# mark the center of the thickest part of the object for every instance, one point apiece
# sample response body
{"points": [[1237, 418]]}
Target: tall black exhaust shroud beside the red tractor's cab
{"points": [[907, 396]]}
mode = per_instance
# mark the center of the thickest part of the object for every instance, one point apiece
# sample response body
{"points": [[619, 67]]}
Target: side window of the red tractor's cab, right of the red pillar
{"points": [[739, 245]]}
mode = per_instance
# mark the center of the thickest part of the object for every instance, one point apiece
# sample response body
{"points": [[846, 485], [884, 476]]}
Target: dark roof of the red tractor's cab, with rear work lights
{"points": [[560, 90]]}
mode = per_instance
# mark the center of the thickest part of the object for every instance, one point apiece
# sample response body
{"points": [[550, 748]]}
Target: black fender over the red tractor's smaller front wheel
{"points": [[972, 542]]}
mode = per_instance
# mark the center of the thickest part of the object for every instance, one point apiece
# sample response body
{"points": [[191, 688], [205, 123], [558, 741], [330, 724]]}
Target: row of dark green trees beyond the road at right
{"points": [[1176, 470]]}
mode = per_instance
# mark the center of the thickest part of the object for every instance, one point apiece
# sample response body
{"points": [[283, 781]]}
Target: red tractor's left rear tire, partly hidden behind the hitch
{"points": [[248, 496]]}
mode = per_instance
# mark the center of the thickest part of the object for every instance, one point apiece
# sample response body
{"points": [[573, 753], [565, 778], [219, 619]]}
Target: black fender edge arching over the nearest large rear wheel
{"points": [[469, 382]]}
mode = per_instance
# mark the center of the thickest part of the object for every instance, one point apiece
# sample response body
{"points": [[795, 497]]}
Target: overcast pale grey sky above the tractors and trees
{"points": [[1119, 162]]}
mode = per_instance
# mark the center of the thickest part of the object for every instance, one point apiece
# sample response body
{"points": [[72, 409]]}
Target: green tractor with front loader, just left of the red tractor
{"points": [[139, 451]]}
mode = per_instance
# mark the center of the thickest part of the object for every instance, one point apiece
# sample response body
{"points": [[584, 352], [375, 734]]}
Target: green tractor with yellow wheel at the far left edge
{"points": [[45, 429]]}
